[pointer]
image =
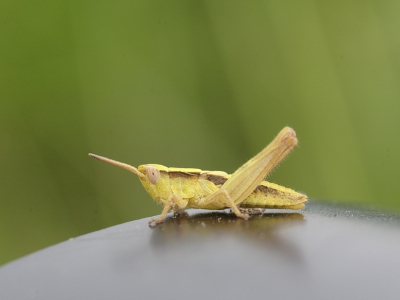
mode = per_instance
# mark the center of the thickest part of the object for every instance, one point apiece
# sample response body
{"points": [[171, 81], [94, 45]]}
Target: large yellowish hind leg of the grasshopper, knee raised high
{"points": [[245, 179]]}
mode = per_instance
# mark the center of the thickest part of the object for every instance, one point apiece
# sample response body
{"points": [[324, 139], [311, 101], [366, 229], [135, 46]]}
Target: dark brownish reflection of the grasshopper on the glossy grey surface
{"points": [[194, 229]]}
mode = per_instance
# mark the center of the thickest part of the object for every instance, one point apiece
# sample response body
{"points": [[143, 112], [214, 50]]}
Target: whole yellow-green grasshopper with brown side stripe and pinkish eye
{"points": [[243, 191]]}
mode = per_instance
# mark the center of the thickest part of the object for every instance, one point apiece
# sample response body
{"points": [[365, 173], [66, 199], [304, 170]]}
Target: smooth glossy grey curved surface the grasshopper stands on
{"points": [[322, 252]]}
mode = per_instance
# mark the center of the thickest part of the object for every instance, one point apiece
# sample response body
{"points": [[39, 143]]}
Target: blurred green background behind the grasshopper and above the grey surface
{"points": [[203, 84]]}
